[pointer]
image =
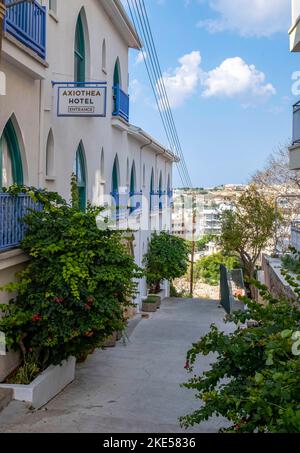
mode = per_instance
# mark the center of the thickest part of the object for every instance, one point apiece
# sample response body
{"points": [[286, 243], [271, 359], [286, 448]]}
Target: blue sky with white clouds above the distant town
{"points": [[228, 73]]}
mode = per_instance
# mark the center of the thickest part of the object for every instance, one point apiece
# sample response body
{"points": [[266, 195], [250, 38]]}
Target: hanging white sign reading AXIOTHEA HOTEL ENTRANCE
{"points": [[82, 100]]}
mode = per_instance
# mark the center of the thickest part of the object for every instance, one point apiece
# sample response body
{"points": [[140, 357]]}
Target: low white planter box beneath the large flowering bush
{"points": [[46, 386]]}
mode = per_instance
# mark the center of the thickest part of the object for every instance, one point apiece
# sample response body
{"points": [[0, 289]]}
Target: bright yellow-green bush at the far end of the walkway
{"points": [[208, 268]]}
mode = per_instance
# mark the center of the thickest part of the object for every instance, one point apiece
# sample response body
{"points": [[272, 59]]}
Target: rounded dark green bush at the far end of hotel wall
{"points": [[167, 258]]}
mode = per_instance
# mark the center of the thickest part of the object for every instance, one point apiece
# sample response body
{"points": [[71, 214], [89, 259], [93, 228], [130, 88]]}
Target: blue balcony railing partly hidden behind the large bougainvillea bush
{"points": [[12, 210]]}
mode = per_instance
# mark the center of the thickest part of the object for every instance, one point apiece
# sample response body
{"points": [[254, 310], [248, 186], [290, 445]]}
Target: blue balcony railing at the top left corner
{"points": [[27, 23]]}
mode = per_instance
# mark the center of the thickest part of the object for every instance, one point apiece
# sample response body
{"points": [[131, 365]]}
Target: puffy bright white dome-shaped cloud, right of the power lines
{"points": [[234, 77]]}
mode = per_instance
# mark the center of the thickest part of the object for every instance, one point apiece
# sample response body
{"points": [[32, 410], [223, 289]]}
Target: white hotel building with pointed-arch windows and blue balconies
{"points": [[46, 44]]}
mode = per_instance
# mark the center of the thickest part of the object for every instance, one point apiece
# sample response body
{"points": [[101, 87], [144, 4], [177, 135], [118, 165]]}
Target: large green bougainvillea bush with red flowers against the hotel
{"points": [[73, 293]]}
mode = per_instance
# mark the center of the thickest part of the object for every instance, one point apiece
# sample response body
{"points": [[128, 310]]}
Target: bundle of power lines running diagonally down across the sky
{"points": [[141, 23]]}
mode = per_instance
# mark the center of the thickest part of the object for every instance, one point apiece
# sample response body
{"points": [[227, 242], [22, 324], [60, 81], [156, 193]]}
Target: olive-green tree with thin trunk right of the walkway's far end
{"points": [[248, 228]]}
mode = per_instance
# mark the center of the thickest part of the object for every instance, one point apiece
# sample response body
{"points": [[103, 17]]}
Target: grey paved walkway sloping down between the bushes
{"points": [[132, 388]]}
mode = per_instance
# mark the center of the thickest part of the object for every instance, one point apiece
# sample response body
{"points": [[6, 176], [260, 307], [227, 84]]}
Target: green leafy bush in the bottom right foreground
{"points": [[255, 381]]}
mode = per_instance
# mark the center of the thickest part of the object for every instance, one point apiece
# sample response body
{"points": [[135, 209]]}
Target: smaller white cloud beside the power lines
{"points": [[182, 82]]}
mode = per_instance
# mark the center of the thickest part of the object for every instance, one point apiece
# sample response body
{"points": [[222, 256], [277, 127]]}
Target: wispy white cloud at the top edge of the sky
{"points": [[249, 18]]}
